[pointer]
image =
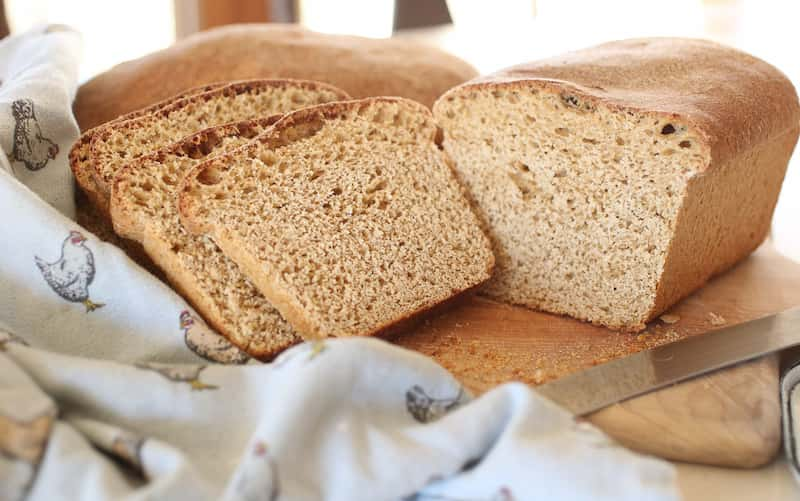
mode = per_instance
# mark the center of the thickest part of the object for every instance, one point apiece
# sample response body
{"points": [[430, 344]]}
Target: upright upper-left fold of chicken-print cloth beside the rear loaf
{"points": [[38, 79]]}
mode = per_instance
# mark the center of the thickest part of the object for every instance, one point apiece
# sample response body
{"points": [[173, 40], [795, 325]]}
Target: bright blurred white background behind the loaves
{"points": [[490, 35]]}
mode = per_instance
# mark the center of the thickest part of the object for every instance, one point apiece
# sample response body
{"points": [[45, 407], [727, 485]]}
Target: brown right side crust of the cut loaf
{"points": [[725, 216]]}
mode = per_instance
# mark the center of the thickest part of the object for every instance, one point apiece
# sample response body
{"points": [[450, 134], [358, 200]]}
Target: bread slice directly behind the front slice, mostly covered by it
{"points": [[144, 208]]}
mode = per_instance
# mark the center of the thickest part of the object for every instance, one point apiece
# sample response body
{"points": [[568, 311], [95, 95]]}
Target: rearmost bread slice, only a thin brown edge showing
{"points": [[79, 154]]}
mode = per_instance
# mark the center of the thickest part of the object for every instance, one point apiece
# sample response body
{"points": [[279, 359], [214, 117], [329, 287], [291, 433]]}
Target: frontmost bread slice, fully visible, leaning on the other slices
{"points": [[346, 217]]}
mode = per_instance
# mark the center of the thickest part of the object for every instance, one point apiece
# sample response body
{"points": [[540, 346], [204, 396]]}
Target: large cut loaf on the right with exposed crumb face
{"points": [[618, 179]]}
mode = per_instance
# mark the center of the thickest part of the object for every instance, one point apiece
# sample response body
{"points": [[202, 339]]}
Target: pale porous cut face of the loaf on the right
{"points": [[581, 201]]}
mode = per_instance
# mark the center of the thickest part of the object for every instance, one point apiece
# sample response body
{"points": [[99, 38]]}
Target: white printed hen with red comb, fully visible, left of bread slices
{"points": [[72, 274]]}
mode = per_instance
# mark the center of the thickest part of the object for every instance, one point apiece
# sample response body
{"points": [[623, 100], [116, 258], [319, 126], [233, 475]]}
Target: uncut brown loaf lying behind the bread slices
{"points": [[362, 67]]}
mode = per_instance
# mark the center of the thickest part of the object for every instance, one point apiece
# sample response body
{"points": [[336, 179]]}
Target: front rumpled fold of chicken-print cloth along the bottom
{"points": [[341, 420]]}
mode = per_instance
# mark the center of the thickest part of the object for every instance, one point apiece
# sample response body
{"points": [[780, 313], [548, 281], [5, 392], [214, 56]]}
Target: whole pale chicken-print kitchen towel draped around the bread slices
{"points": [[112, 387]]}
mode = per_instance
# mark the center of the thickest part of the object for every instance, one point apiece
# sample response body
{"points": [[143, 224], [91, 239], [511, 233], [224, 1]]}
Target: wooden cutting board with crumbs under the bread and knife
{"points": [[730, 417]]}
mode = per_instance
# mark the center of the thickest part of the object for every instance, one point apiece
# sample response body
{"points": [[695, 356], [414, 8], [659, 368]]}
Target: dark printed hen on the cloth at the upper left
{"points": [[30, 145]]}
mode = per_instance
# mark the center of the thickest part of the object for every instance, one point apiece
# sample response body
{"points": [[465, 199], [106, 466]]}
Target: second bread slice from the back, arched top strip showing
{"points": [[119, 143]]}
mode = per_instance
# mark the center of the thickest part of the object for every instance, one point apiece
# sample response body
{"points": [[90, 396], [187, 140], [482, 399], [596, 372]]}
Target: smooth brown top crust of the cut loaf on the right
{"points": [[732, 99]]}
